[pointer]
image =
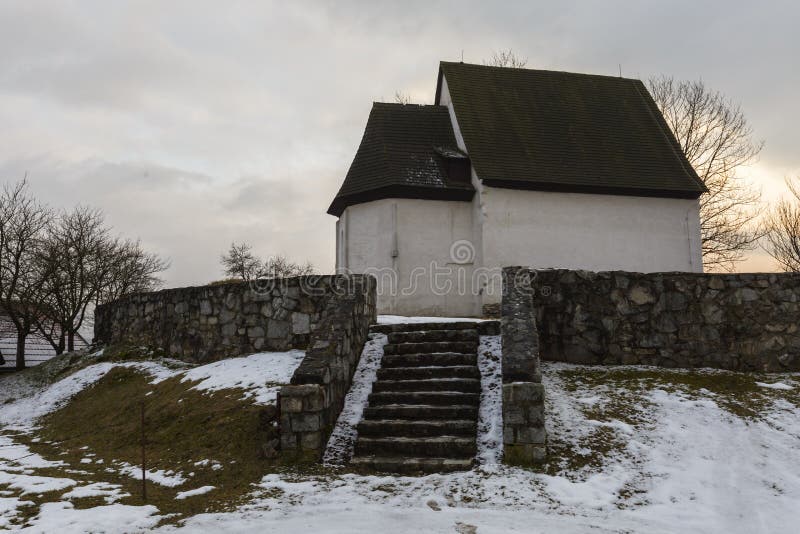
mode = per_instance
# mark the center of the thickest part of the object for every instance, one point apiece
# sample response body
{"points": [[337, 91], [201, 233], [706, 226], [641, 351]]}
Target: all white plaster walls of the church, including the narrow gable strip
{"points": [[507, 227]]}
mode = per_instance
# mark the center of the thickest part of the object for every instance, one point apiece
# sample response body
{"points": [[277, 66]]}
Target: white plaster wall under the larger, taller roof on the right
{"points": [[587, 231]]}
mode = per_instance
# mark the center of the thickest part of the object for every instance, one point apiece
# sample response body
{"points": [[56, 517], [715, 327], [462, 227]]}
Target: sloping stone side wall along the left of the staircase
{"points": [[310, 405]]}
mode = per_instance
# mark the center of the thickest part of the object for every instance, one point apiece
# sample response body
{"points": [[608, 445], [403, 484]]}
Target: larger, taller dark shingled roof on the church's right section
{"points": [[546, 130]]}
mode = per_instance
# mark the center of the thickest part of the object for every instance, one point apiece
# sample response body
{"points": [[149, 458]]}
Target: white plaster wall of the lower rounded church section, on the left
{"points": [[420, 278]]}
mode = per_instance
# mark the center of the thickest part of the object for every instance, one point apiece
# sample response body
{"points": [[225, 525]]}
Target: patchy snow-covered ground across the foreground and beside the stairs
{"points": [[628, 454]]}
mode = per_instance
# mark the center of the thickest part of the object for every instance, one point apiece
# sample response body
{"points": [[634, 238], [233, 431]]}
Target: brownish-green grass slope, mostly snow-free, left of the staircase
{"points": [[182, 427]]}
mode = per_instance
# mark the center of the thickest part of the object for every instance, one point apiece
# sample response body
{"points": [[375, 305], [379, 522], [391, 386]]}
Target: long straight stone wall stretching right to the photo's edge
{"points": [[744, 322]]}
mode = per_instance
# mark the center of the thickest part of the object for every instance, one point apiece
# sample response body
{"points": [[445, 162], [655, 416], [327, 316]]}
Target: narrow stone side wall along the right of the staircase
{"points": [[524, 435]]}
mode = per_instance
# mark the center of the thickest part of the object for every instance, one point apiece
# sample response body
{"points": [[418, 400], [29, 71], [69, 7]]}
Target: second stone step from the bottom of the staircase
{"points": [[434, 446]]}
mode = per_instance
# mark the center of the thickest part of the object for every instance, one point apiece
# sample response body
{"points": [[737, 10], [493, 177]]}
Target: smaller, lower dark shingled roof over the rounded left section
{"points": [[402, 155]]}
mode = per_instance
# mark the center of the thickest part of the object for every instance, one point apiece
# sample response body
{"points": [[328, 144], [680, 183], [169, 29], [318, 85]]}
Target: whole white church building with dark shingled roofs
{"points": [[513, 167]]}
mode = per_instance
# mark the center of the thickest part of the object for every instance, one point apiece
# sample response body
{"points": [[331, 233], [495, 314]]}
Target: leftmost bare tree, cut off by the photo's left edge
{"points": [[23, 221]]}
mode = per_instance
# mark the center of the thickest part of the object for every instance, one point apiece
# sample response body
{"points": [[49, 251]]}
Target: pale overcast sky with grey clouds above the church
{"points": [[194, 124]]}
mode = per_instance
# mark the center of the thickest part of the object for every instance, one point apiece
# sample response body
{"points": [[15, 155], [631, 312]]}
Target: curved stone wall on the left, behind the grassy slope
{"points": [[201, 324]]}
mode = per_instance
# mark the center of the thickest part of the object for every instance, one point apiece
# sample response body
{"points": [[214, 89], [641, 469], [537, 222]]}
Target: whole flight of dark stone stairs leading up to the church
{"points": [[423, 411]]}
